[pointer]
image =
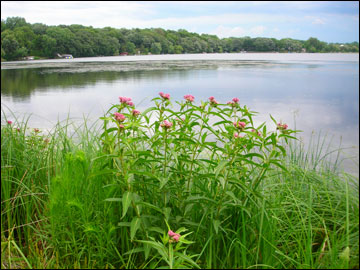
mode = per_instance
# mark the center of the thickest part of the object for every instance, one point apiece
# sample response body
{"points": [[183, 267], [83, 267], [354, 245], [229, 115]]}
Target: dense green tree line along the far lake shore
{"points": [[20, 39]]}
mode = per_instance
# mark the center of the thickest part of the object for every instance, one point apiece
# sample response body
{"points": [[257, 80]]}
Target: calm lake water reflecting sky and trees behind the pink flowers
{"points": [[321, 91]]}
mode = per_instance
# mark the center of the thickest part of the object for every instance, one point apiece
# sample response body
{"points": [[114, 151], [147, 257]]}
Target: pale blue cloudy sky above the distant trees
{"points": [[329, 21]]}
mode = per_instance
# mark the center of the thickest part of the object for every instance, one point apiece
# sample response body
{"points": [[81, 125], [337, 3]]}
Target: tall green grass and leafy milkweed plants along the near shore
{"points": [[105, 196]]}
